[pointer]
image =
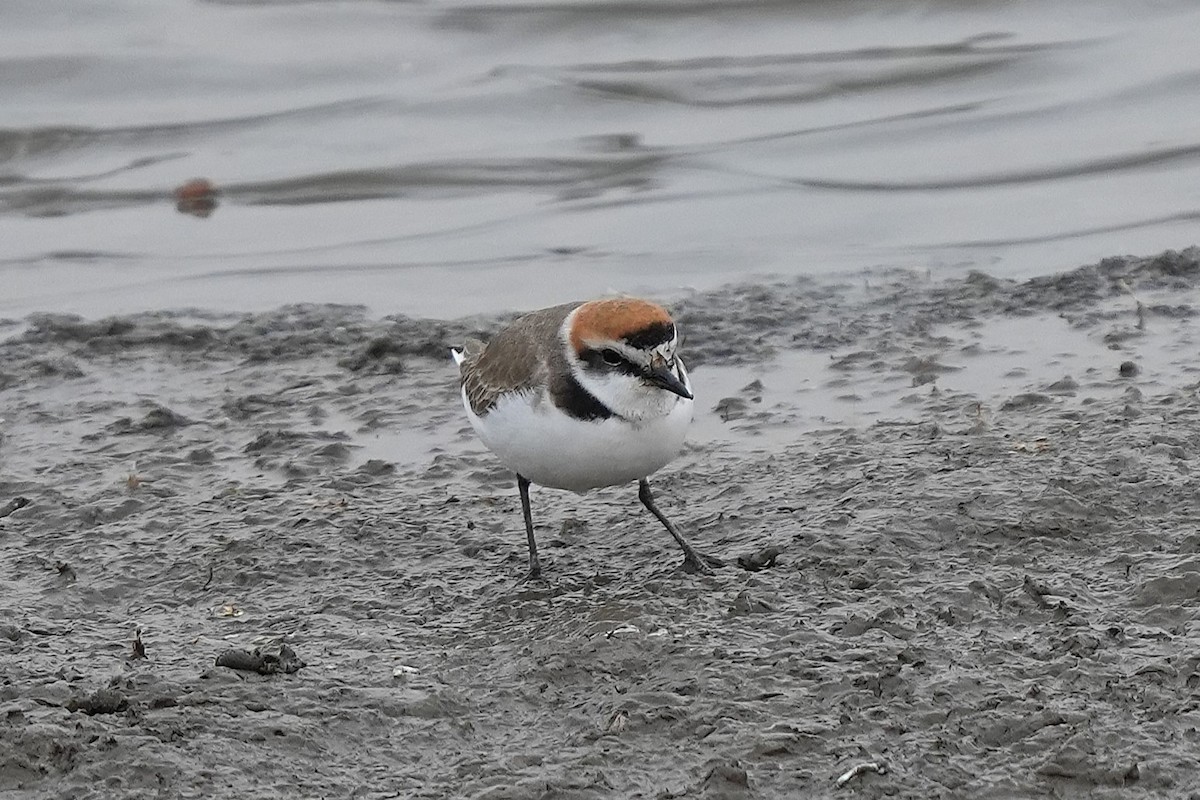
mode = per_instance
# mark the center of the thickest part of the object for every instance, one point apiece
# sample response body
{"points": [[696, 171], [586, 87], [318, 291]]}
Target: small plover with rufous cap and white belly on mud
{"points": [[583, 396]]}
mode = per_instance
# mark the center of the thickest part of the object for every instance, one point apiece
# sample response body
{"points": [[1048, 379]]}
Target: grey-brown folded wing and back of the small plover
{"points": [[517, 359]]}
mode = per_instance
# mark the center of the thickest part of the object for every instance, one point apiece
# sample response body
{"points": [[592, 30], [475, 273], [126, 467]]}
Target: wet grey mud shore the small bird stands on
{"points": [[959, 520]]}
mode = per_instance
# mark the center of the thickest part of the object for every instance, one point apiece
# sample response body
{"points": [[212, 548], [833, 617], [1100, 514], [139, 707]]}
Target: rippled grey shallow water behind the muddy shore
{"points": [[459, 158]]}
